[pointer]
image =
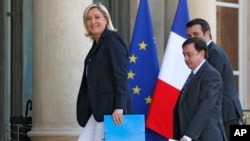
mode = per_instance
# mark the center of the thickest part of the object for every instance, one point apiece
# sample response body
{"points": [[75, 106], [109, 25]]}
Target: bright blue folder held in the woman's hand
{"points": [[132, 128]]}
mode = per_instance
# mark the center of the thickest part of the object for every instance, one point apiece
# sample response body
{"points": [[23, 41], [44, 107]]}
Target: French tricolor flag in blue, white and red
{"points": [[172, 76]]}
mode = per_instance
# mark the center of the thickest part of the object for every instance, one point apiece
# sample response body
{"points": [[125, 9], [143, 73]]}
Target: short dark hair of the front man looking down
{"points": [[199, 45]]}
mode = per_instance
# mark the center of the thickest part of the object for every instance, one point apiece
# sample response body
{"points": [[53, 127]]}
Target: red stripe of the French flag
{"points": [[160, 114]]}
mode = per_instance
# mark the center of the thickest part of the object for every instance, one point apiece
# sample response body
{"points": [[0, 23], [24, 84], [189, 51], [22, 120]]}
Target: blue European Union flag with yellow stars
{"points": [[143, 65]]}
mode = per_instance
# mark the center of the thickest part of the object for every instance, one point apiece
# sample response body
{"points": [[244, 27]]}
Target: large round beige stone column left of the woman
{"points": [[59, 49]]}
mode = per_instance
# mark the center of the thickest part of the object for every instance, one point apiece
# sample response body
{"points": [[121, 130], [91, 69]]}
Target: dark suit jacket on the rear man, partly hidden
{"points": [[231, 107]]}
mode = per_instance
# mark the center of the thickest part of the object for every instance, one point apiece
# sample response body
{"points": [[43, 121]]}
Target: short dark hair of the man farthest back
{"points": [[203, 23]]}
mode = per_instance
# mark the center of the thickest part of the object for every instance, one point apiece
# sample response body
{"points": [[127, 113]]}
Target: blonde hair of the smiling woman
{"points": [[104, 11]]}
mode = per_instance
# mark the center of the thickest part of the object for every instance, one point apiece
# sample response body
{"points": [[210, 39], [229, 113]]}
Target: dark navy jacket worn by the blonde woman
{"points": [[104, 84]]}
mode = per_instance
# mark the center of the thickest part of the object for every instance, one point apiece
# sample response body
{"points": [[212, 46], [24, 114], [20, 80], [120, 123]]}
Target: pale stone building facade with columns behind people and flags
{"points": [[42, 49]]}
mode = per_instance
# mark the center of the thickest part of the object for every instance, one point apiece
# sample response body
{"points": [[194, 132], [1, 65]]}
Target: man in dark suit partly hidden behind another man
{"points": [[217, 57]]}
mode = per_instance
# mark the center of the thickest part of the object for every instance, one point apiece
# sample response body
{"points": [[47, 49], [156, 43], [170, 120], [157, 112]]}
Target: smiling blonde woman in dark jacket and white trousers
{"points": [[104, 89]]}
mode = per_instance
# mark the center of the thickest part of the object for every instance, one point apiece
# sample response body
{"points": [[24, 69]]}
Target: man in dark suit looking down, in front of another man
{"points": [[197, 114]]}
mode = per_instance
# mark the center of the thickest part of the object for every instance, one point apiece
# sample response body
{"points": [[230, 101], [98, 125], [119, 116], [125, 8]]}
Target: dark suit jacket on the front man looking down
{"points": [[197, 113]]}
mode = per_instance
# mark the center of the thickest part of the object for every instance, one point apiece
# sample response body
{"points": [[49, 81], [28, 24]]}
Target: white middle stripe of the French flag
{"points": [[174, 71]]}
